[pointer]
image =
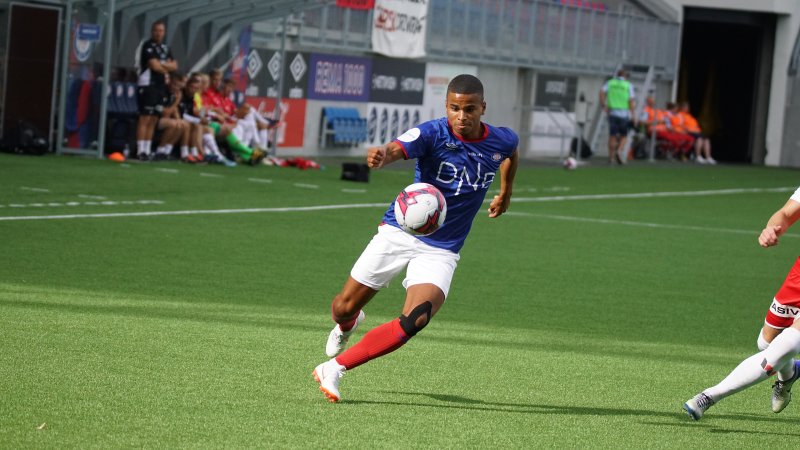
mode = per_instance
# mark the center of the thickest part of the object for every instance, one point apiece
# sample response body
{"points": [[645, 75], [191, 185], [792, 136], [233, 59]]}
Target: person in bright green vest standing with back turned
{"points": [[617, 100]]}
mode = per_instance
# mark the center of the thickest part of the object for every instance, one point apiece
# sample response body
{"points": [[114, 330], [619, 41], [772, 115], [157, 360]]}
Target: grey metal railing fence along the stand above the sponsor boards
{"points": [[538, 34]]}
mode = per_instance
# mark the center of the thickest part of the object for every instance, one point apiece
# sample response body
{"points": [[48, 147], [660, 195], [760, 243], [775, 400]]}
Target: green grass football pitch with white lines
{"points": [[582, 319]]}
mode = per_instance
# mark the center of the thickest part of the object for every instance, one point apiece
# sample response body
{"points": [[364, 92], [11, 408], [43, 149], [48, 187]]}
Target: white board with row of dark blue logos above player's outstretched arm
{"points": [[386, 121]]}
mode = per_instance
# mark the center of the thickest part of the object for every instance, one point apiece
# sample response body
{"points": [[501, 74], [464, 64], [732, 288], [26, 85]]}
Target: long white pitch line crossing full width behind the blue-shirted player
{"points": [[383, 205]]}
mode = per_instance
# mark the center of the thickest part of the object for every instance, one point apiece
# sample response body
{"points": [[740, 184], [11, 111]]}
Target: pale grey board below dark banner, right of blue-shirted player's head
{"points": [[552, 134]]}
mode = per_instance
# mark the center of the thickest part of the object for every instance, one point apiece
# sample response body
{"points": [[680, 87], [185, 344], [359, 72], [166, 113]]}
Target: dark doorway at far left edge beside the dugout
{"points": [[31, 71]]}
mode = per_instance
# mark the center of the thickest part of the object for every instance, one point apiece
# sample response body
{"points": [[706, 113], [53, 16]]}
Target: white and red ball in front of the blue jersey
{"points": [[420, 209]]}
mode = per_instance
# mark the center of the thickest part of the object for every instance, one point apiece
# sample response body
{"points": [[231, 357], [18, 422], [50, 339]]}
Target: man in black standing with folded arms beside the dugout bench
{"points": [[154, 62]]}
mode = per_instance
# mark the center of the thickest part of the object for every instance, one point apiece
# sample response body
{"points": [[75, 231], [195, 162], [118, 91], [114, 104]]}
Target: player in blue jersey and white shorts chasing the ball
{"points": [[461, 156]]}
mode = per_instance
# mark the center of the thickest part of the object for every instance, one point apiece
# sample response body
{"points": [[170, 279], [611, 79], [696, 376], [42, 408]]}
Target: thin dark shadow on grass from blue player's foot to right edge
{"points": [[460, 402]]}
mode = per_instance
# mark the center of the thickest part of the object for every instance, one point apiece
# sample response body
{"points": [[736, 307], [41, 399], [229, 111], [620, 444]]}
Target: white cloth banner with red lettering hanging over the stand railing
{"points": [[398, 29]]}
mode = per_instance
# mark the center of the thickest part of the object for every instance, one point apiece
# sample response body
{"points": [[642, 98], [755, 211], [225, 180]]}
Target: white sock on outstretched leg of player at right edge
{"points": [[760, 366]]}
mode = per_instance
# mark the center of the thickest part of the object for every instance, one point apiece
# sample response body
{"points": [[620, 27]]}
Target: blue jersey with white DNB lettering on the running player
{"points": [[463, 170]]}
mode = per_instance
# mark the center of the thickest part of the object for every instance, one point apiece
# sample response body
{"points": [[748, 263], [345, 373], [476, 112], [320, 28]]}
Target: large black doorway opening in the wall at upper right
{"points": [[726, 58]]}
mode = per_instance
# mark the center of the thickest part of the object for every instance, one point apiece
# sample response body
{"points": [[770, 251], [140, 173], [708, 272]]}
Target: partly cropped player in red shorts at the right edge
{"points": [[779, 340]]}
